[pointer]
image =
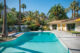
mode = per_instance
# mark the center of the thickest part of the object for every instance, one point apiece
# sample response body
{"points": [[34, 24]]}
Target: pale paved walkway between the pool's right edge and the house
{"points": [[71, 41]]}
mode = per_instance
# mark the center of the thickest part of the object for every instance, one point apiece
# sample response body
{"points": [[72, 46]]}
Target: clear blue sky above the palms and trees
{"points": [[41, 5]]}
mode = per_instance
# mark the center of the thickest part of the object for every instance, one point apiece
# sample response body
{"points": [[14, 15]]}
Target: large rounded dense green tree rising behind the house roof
{"points": [[57, 12]]}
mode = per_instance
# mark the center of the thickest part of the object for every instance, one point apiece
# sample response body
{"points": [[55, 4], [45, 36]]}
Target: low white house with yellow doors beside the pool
{"points": [[65, 25]]}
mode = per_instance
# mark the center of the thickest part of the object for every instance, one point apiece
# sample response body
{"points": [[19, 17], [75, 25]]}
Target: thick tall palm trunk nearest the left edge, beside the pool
{"points": [[5, 30]]}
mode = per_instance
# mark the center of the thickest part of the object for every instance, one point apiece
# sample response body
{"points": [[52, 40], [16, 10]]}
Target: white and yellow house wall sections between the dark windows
{"points": [[60, 27]]}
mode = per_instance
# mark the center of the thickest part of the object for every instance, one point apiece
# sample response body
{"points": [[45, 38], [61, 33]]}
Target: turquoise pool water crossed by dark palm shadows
{"points": [[34, 42]]}
